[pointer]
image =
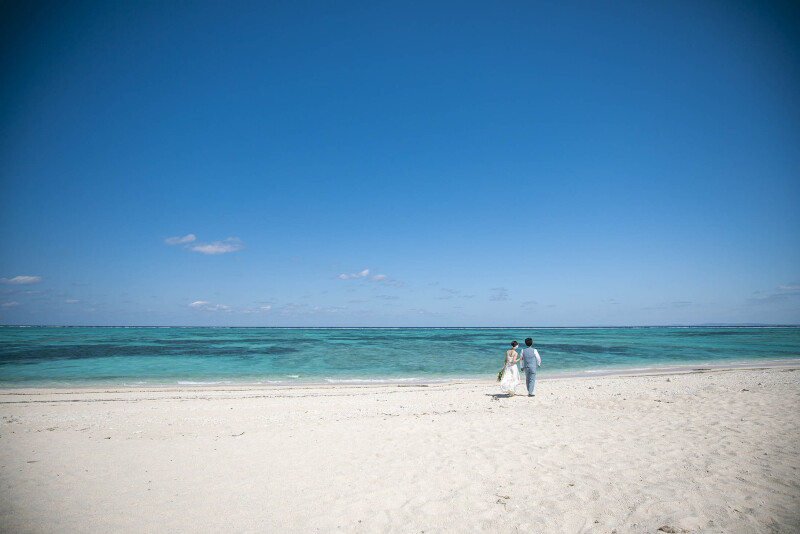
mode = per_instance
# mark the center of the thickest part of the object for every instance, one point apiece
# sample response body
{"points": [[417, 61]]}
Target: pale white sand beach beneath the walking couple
{"points": [[713, 451]]}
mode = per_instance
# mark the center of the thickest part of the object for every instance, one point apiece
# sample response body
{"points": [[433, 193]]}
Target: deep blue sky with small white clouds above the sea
{"points": [[400, 163]]}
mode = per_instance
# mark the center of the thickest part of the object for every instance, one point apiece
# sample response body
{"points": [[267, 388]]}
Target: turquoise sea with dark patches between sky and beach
{"points": [[53, 356]]}
